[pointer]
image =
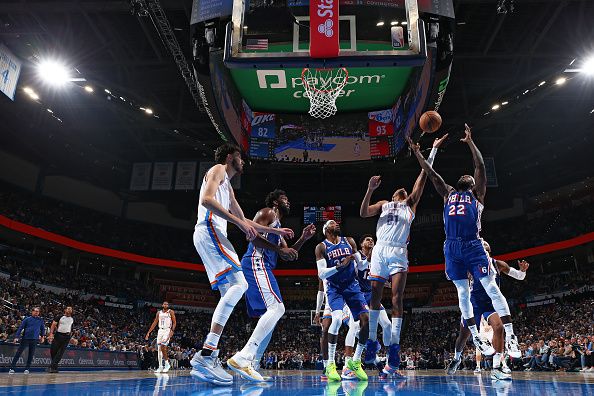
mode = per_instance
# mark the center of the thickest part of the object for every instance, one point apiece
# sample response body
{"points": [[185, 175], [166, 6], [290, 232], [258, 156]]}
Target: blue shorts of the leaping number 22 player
{"points": [[464, 257]]}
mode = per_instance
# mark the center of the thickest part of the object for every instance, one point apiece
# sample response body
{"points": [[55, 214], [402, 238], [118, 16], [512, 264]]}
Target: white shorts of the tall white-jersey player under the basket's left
{"points": [[216, 252]]}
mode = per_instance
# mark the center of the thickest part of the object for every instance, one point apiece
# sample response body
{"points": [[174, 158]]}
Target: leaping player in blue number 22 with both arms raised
{"points": [[463, 248]]}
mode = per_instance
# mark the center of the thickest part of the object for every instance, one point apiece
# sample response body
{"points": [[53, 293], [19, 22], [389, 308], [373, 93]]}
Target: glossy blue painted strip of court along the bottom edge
{"points": [[305, 385]]}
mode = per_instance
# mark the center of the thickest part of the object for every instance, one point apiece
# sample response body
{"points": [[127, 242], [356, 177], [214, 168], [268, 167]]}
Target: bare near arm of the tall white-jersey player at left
{"points": [[214, 178]]}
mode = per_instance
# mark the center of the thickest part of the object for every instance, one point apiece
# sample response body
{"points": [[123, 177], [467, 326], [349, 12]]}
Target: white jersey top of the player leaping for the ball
{"points": [[393, 225]]}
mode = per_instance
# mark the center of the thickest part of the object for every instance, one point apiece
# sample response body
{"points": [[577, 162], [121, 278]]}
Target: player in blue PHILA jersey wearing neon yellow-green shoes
{"points": [[336, 258]]}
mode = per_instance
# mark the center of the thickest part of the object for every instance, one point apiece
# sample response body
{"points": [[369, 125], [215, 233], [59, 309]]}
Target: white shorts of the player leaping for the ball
{"points": [[386, 261]]}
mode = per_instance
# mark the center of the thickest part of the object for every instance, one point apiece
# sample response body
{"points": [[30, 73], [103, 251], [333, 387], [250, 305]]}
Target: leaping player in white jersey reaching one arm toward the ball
{"points": [[389, 261]]}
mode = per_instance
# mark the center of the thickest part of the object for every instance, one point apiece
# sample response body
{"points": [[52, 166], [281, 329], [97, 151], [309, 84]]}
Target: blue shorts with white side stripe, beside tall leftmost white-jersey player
{"points": [[263, 289]]}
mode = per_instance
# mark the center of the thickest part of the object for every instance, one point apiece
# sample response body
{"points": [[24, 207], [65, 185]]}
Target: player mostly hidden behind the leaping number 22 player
{"points": [[483, 307]]}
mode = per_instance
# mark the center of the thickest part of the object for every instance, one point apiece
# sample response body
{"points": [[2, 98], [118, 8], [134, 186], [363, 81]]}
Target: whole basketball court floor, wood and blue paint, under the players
{"points": [[290, 383]]}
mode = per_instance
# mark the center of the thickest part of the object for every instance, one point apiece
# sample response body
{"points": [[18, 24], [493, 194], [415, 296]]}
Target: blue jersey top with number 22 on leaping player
{"points": [[462, 216]]}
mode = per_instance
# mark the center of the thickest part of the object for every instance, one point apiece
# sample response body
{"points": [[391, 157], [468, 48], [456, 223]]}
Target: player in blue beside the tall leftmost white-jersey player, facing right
{"points": [[263, 296]]}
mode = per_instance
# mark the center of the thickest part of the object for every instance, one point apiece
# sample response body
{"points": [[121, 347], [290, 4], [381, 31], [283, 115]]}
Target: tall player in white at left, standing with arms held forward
{"points": [[218, 206]]}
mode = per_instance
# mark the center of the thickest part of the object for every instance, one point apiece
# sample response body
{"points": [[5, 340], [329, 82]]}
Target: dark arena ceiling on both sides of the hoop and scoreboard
{"points": [[541, 140]]}
